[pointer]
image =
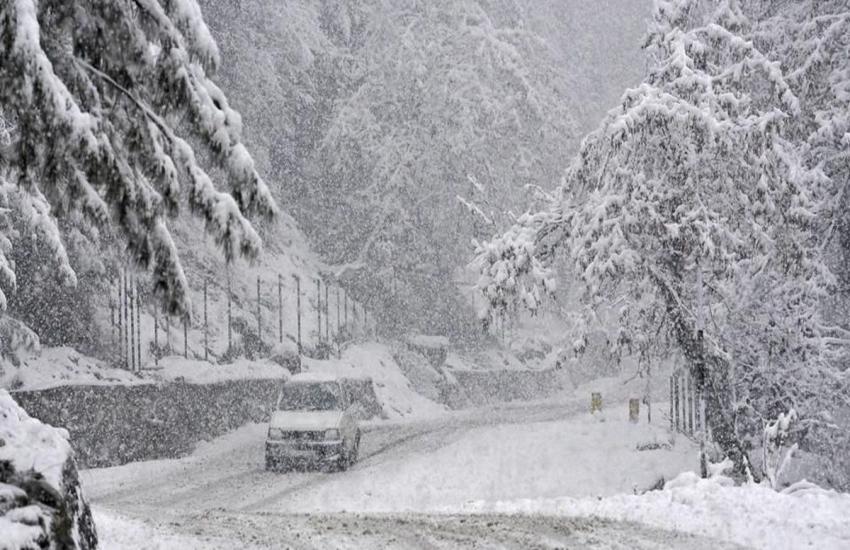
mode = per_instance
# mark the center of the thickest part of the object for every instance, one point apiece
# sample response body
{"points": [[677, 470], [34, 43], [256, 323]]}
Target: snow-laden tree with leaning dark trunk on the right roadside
{"points": [[694, 215]]}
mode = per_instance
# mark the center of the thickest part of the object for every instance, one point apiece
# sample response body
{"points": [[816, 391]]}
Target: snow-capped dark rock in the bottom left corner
{"points": [[41, 504]]}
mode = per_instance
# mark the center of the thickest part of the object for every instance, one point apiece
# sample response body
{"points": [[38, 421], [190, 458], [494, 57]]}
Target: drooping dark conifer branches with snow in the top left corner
{"points": [[102, 96]]}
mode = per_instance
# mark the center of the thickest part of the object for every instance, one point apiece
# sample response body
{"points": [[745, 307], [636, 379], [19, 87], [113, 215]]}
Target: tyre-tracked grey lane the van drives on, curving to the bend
{"points": [[229, 472]]}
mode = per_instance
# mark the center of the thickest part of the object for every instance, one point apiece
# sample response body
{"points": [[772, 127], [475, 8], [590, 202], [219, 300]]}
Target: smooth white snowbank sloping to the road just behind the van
{"points": [[375, 360]]}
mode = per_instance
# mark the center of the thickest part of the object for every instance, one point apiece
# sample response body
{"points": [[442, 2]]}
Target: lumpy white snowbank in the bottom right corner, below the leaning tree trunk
{"points": [[756, 516]]}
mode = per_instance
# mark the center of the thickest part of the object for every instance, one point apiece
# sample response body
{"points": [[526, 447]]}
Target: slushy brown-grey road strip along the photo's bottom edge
{"points": [[233, 531]]}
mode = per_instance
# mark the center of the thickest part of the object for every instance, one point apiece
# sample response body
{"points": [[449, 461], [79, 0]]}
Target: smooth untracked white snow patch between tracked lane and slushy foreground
{"points": [[584, 456]]}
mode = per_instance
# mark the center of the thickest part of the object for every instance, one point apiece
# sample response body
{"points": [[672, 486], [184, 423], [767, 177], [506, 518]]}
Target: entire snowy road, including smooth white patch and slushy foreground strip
{"points": [[393, 498]]}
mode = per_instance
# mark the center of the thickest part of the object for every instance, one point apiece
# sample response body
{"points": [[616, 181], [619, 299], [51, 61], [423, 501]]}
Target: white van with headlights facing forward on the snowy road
{"points": [[313, 423]]}
